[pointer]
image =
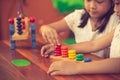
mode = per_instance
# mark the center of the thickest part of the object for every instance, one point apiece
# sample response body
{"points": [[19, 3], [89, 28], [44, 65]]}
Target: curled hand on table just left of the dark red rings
{"points": [[47, 49]]}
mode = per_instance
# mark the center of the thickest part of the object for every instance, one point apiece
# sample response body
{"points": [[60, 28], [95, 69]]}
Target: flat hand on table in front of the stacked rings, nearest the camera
{"points": [[63, 68]]}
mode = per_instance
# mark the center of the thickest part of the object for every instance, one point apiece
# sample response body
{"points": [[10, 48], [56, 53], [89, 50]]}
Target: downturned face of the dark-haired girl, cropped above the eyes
{"points": [[97, 8]]}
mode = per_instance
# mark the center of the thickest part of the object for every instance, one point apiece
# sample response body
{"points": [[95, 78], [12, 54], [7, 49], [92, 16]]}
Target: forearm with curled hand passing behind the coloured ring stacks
{"points": [[84, 47]]}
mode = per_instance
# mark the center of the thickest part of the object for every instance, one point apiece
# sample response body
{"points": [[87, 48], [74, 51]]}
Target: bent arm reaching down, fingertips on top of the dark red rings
{"points": [[50, 32]]}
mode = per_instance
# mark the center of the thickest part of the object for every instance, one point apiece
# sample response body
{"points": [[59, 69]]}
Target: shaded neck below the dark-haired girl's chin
{"points": [[95, 22]]}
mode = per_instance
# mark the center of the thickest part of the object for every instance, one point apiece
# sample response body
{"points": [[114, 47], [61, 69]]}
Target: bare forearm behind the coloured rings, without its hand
{"points": [[94, 45]]}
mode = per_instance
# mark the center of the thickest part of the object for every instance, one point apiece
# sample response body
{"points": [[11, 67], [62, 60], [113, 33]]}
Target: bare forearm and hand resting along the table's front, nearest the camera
{"points": [[111, 65]]}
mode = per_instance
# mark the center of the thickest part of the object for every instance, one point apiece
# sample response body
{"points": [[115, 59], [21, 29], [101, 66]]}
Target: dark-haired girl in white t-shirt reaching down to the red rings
{"points": [[96, 20]]}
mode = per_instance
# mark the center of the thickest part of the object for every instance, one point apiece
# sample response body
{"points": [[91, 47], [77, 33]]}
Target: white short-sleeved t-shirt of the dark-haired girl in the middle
{"points": [[86, 33]]}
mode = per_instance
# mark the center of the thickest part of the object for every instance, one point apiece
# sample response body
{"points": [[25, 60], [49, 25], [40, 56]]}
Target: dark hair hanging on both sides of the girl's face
{"points": [[102, 27]]}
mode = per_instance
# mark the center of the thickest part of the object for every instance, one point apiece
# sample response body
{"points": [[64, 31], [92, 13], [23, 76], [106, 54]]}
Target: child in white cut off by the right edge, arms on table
{"points": [[111, 65]]}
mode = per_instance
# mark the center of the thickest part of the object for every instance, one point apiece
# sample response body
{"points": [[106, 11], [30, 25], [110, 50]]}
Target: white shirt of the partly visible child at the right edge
{"points": [[115, 45]]}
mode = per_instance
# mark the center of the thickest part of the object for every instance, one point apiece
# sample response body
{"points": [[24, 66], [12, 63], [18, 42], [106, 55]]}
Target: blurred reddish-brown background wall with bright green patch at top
{"points": [[44, 11]]}
